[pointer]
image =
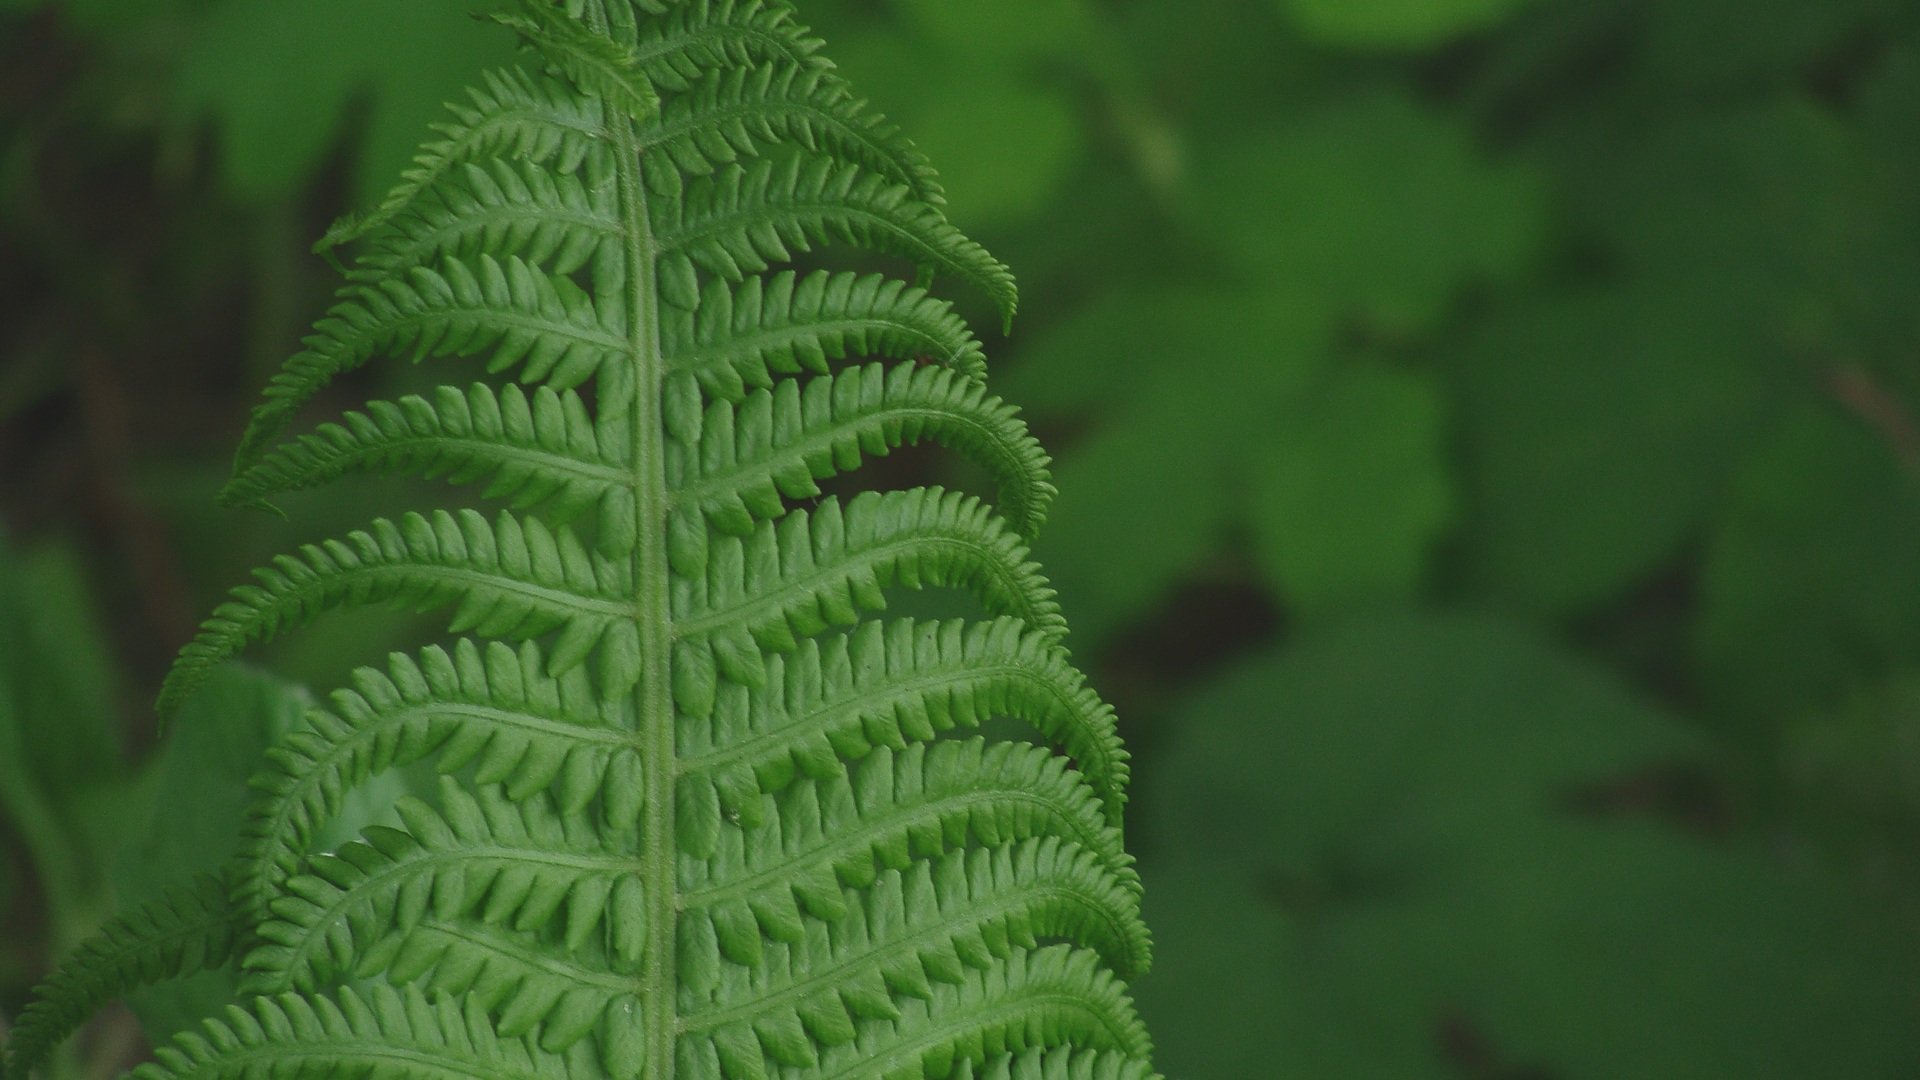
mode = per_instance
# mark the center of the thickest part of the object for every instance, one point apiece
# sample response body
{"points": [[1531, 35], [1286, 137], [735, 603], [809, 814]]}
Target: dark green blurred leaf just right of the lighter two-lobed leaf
{"points": [[1600, 433]]}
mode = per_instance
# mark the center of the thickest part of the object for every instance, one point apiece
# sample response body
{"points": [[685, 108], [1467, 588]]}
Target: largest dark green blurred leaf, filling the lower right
{"points": [[1431, 891]]}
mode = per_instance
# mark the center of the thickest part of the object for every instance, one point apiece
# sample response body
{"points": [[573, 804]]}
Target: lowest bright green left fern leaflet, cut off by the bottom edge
{"points": [[375, 1033]]}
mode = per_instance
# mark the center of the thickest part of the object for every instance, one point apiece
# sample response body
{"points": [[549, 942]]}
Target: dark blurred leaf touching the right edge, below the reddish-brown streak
{"points": [[1813, 576]]}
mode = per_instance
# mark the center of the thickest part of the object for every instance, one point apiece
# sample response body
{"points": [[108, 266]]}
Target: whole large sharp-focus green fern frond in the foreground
{"points": [[706, 814]]}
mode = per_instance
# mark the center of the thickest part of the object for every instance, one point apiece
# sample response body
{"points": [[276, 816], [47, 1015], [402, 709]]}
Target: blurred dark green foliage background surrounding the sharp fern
{"points": [[1489, 439]]}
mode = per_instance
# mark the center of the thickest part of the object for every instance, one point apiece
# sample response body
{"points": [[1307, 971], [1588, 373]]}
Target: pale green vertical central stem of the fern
{"points": [[654, 697]]}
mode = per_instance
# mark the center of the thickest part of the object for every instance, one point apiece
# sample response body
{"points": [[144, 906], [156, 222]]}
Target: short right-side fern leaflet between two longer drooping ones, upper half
{"points": [[784, 324]]}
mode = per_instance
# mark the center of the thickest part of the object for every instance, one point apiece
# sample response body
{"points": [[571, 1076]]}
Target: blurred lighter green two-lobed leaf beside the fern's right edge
{"points": [[1234, 412]]}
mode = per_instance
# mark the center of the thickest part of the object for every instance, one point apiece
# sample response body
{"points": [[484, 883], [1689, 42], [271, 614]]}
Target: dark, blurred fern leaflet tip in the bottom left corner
{"points": [[185, 931]]}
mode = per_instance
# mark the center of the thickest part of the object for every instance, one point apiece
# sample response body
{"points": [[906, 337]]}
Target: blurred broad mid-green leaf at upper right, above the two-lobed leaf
{"points": [[1378, 207]]}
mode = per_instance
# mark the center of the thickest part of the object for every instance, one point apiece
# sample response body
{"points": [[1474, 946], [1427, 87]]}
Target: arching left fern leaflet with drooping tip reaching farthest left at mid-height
{"points": [[514, 577]]}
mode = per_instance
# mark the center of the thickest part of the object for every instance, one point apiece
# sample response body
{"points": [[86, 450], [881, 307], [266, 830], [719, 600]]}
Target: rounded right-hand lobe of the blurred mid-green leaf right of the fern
{"points": [[1351, 489]]}
